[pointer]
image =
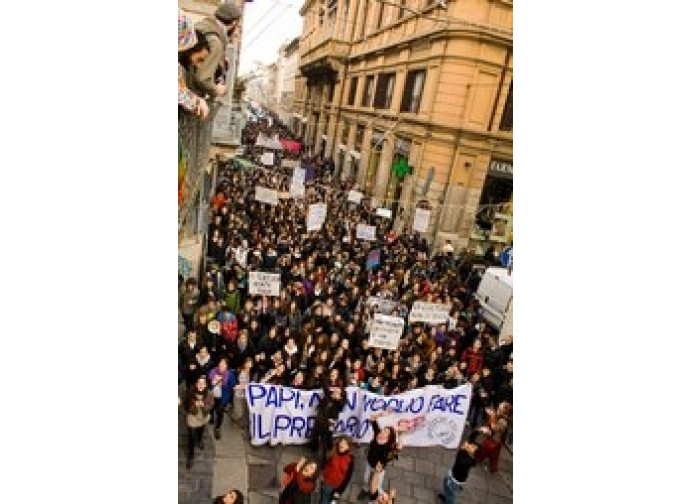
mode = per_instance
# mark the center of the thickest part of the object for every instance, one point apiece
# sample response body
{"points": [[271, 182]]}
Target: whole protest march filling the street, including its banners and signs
{"points": [[314, 320]]}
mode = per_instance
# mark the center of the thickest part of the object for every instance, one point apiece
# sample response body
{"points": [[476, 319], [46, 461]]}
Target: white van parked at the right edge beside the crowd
{"points": [[495, 295]]}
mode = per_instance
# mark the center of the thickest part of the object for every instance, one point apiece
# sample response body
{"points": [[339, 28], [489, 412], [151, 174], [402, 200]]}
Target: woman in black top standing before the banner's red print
{"points": [[383, 448]]}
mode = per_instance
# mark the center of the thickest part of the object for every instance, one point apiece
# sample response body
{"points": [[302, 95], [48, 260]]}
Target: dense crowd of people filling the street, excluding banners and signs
{"points": [[314, 335]]}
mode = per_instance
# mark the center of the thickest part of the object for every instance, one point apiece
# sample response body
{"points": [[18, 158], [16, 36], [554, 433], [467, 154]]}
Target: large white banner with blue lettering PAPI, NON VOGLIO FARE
{"points": [[430, 416]]}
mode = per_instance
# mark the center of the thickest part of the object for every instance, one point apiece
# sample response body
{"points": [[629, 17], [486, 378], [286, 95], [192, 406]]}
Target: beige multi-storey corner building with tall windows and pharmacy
{"points": [[413, 83]]}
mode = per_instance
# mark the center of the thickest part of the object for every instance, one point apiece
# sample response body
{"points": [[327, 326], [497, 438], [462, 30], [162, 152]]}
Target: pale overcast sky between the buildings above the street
{"points": [[267, 25]]}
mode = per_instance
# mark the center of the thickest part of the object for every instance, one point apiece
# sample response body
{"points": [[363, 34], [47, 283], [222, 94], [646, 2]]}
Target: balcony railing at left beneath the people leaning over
{"points": [[195, 137]]}
